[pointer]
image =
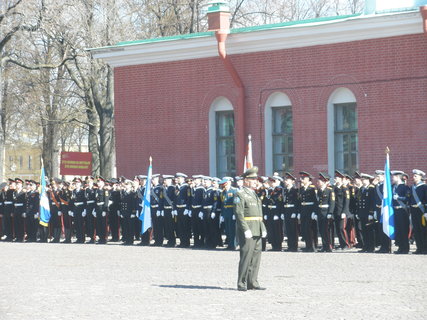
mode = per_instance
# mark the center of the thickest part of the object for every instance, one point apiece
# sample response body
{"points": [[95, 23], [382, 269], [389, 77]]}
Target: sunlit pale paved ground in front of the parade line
{"points": [[58, 281]]}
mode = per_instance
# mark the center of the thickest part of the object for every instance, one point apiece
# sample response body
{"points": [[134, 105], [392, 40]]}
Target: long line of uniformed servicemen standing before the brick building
{"points": [[203, 208]]}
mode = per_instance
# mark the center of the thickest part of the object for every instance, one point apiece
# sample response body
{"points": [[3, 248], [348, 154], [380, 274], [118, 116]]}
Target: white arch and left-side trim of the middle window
{"points": [[276, 99]]}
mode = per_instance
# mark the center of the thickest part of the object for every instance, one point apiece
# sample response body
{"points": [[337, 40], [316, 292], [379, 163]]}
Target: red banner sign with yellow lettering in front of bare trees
{"points": [[76, 163]]}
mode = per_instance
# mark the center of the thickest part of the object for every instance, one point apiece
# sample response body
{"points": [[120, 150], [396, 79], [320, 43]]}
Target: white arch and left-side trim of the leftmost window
{"points": [[219, 104]]}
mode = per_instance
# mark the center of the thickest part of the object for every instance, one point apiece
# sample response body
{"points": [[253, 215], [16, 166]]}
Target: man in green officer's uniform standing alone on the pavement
{"points": [[249, 230]]}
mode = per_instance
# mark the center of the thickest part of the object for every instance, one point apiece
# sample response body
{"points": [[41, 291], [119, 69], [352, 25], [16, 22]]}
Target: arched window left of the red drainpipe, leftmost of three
{"points": [[222, 154]]}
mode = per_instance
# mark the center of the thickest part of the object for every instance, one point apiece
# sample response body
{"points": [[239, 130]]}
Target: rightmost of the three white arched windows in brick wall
{"points": [[343, 146]]}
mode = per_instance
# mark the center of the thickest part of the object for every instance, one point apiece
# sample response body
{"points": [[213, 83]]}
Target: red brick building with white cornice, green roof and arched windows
{"points": [[315, 95]]}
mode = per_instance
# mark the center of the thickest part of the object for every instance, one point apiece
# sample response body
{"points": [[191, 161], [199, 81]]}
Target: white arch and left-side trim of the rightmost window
{"points": [[340, 95]]}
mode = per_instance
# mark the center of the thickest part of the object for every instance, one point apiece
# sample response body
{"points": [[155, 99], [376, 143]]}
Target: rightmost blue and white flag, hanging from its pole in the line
{"points": [[387, 212]]}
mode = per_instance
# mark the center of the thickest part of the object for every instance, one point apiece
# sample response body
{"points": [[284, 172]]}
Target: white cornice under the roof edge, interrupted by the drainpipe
{"points": [[302, 35]]}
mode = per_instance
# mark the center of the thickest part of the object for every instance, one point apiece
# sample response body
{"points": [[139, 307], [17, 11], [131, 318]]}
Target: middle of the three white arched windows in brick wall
{"points": [[278, 126]]}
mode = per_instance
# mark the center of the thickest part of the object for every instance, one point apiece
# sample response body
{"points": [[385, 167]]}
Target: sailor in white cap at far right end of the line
{"points": [[418, 209]]}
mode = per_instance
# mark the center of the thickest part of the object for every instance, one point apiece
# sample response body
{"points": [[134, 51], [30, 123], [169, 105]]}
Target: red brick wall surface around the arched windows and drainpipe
{"points": [[162, 109]]}
